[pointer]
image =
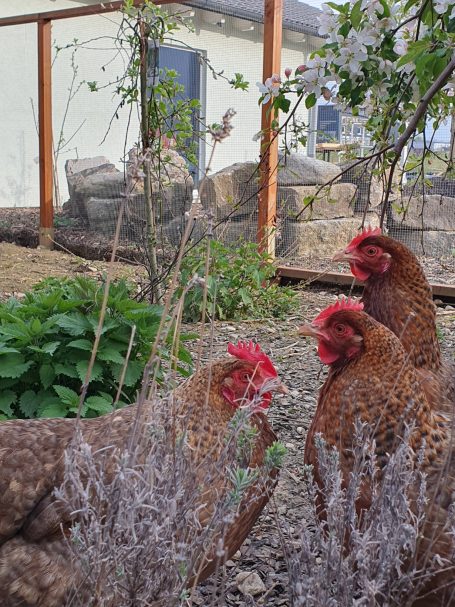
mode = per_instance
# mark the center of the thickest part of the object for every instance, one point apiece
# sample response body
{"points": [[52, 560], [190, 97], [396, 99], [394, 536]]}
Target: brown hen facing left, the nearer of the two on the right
{"points": [[370, 378]]}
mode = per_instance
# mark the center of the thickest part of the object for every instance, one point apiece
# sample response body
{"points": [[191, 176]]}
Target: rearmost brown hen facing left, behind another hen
{"points": [[398, 295]]}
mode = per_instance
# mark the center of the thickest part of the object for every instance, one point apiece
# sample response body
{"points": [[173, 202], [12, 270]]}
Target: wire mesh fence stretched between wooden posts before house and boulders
{"points": [[97, 142]]}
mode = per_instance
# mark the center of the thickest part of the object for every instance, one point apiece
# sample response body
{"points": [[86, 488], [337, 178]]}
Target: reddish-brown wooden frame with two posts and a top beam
{"points": [[269, 146]]}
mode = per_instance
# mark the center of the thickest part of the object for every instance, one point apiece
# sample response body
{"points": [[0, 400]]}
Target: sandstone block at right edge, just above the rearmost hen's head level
{"points": [[432, 212]]}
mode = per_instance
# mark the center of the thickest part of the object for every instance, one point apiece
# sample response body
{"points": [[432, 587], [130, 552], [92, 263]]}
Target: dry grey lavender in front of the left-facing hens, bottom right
{"points": [[345, 558]]}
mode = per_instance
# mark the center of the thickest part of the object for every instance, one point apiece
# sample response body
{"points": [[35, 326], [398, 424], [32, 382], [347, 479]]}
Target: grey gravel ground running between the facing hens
{"points": [[299, 367]]}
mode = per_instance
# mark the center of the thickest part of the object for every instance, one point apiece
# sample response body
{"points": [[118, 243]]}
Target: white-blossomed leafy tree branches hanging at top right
{"points": [[394, 61]]}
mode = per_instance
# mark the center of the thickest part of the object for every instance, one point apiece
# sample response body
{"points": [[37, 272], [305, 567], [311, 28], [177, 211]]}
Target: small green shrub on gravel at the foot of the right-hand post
{"points": [[239, 284]]}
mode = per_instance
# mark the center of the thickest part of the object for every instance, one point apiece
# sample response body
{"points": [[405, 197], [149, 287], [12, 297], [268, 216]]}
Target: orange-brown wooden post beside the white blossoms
{"points": [[273, 20]]}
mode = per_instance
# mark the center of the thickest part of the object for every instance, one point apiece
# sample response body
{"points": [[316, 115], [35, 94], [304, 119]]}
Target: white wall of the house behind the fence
{"points": [[90, 113]]}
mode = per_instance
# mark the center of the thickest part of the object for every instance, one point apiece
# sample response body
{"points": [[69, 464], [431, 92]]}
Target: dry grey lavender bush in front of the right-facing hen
{"points": [[146, 519]]}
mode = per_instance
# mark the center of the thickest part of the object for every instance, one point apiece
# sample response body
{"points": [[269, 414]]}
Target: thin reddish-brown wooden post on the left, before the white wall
{"points": [[46, 229]]}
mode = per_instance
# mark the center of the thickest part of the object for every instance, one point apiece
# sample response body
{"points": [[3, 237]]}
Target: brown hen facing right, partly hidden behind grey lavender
{"points": [[35, 569]]}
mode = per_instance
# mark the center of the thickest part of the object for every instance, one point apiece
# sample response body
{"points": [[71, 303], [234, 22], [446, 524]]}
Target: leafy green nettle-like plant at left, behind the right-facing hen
{"points": [[46, 342]]}
